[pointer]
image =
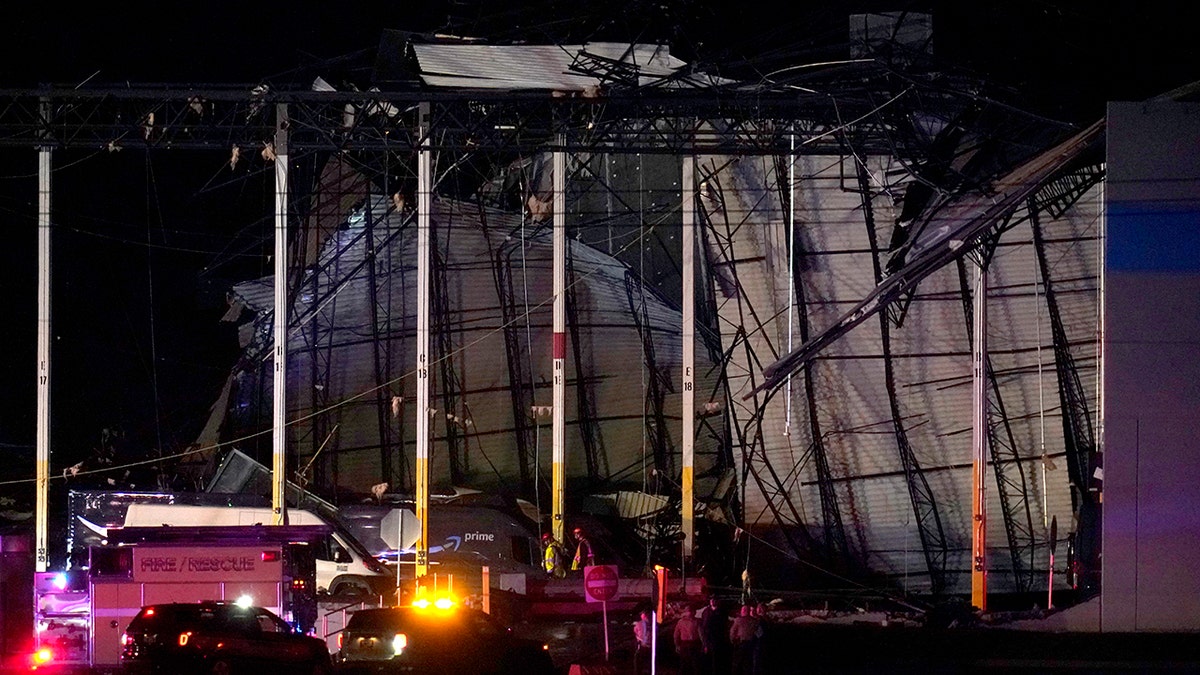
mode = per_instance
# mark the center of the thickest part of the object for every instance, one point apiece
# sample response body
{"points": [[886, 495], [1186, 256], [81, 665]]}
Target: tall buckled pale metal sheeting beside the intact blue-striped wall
{"points": [[863, 426]]}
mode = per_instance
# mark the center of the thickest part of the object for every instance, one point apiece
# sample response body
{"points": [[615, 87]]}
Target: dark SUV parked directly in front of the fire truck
{"points": [[218, 638]]}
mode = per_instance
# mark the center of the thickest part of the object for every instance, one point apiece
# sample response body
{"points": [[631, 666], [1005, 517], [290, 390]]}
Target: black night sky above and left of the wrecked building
{"points": [[147, 244]]}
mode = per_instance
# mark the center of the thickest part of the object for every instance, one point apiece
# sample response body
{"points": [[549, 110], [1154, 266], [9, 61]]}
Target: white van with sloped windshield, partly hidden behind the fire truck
{"points": [[344, 565]]}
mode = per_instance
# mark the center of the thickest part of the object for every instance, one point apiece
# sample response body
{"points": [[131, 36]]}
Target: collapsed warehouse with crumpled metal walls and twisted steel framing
{"points": [[842, 213]]}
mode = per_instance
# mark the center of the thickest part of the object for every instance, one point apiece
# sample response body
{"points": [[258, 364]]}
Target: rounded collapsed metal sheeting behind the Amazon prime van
{"points": [[349, 320]]}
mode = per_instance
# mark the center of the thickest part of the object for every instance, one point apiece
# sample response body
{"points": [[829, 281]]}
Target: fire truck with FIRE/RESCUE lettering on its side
{"points": [[80, 618]]}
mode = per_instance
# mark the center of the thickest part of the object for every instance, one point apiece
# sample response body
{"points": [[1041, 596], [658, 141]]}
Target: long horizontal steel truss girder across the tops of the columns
{"points": [[721, 120]]}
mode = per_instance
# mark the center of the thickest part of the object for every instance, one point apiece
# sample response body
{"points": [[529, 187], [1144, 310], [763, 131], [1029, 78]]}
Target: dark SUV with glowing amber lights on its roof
{"points": [[428, 638]]}
